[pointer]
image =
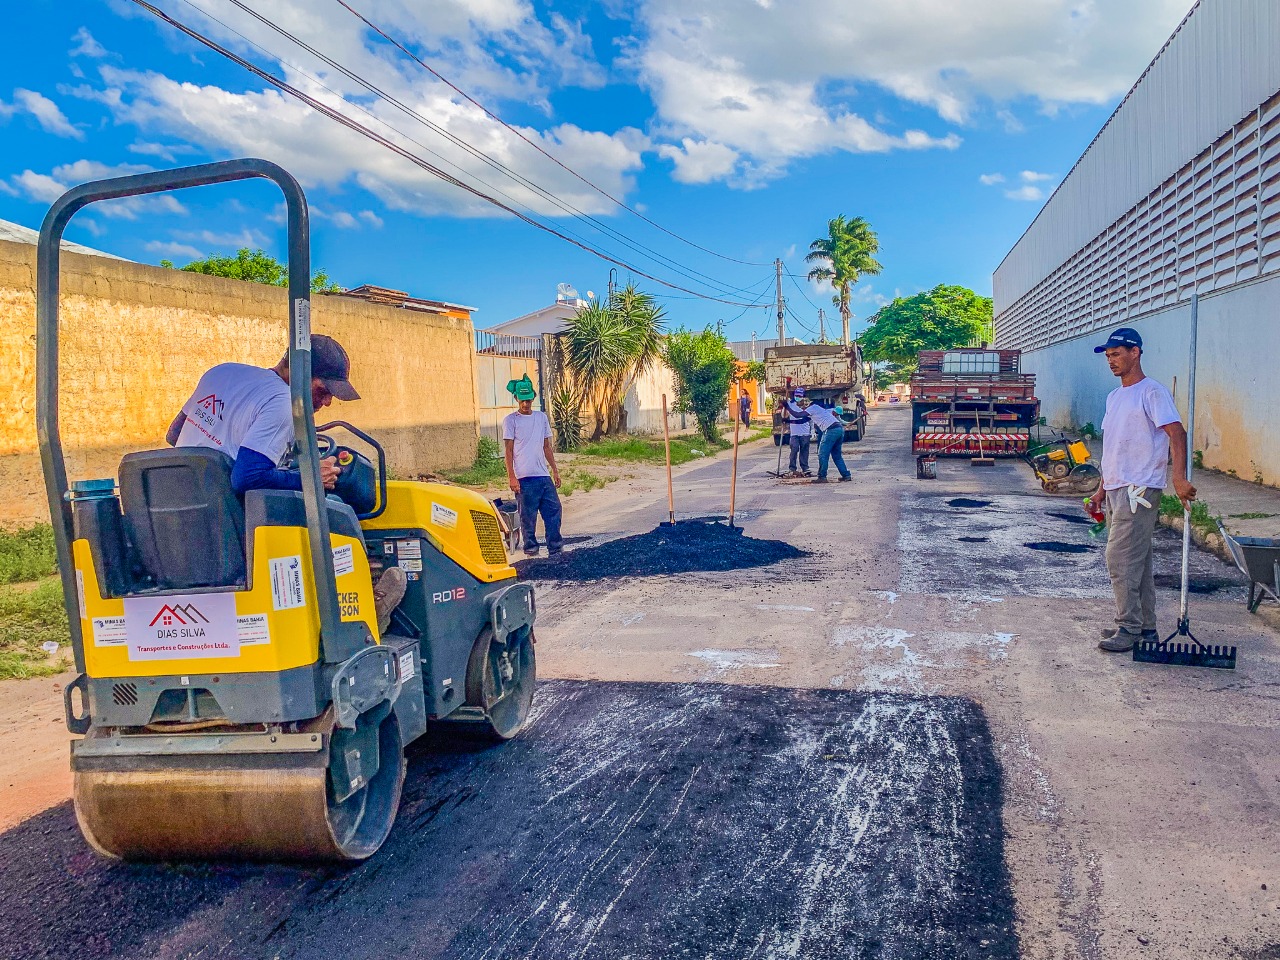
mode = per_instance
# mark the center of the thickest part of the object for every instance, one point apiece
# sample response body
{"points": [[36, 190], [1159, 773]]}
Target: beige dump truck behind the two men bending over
{"points": [[831, 374]]}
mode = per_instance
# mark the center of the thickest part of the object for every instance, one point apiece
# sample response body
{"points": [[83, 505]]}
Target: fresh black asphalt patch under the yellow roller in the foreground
{"points": [[630, 821]]}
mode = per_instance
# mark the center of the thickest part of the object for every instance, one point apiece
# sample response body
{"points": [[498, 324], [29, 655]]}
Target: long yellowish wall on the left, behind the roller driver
{"points": [[135, 341]]}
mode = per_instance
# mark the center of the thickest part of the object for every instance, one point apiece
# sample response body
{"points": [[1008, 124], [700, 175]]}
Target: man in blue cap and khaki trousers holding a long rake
{"points": [[1141, 428]]}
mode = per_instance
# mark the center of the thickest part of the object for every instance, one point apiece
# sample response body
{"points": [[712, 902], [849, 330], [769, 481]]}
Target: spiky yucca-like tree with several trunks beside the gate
{"points": [[607, 346]]}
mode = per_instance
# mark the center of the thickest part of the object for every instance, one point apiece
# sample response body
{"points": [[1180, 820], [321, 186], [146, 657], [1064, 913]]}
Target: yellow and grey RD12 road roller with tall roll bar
{"points": [[235, 694]]}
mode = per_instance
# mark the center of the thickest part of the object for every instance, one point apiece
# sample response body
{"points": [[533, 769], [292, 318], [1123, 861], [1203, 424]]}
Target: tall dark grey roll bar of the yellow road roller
{"points": [[339, 641]]}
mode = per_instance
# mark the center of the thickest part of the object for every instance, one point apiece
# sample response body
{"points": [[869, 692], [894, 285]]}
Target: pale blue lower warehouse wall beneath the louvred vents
{"points": [[1237, 381]]}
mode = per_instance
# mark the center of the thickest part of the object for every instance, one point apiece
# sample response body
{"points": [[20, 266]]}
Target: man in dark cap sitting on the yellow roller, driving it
{"points": [[245, 412]]}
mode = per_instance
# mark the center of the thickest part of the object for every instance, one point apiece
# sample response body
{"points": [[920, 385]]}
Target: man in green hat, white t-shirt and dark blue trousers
{"points": [[532, 472]]}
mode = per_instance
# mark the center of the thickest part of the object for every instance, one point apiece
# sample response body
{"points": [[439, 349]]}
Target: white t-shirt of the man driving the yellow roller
{"points": [[237, 405]]}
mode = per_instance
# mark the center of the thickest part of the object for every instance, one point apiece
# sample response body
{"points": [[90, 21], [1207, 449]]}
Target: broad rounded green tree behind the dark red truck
{"points": [[940, 319]]}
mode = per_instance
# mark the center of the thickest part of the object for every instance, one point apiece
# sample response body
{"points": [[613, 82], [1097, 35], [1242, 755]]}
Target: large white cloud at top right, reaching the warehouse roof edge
{"points": [[781, 81]]}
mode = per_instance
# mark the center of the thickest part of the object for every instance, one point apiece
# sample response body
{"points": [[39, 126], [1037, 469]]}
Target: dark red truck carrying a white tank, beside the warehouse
{"points": [[972, 403]]}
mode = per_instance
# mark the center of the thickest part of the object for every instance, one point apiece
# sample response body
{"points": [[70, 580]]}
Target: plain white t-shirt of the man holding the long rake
{"points": [[1135, 447]]}
